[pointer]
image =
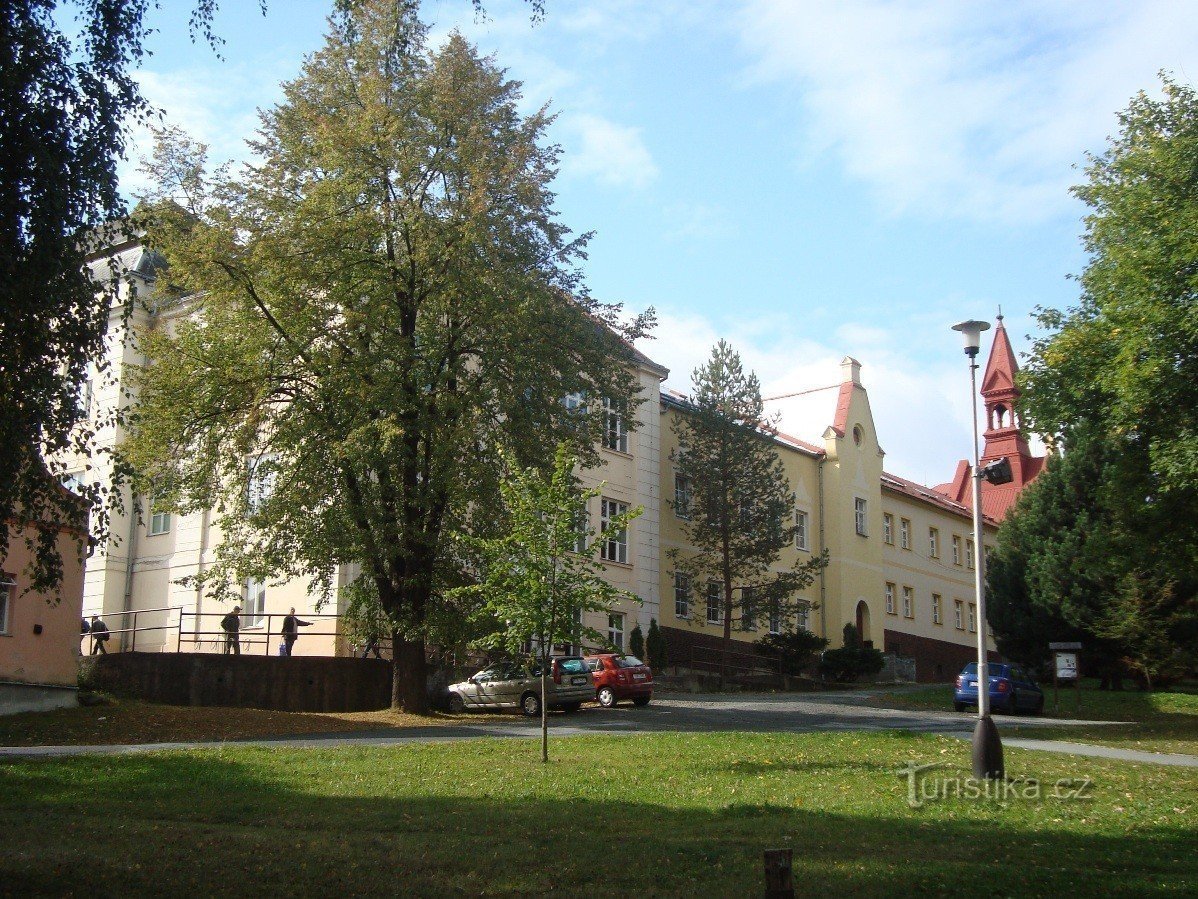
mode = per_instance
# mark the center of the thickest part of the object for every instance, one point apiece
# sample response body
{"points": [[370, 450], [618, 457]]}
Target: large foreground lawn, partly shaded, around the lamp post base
{"points": [[638, 816]]}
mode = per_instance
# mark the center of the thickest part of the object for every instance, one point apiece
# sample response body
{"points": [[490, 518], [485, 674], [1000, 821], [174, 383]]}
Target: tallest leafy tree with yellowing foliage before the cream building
{"points": [[368, 313]]}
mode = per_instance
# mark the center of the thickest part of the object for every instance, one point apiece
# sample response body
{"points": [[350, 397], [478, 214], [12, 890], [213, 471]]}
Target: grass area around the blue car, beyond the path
{"points": [[1163, 722]]}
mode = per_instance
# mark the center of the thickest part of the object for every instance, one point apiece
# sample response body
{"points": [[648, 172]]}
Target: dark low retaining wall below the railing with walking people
{"points": [[300, 684]]}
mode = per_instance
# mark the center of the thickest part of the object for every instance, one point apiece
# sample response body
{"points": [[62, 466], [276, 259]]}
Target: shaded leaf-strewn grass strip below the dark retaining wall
{"points": [[132, 722]]}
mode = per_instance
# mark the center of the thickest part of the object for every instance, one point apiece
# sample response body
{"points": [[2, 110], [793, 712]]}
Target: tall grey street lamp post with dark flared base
{"points": [[988, 747]]}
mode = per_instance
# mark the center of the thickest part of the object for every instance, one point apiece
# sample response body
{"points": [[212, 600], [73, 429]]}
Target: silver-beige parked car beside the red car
{"points": [[517, 685]]}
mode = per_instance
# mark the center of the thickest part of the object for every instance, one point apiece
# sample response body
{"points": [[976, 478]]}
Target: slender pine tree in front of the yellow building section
{"points": [[741, 510]]}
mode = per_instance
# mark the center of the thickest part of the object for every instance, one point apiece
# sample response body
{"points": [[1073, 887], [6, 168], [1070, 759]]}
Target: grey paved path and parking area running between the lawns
{"points": [[682, 714]]}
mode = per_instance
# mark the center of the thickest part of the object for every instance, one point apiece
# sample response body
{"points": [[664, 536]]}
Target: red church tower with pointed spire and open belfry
{"points": [[1003, 436]]}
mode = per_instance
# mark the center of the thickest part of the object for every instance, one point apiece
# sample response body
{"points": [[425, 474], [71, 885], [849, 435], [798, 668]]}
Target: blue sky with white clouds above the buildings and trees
{"points": [[806, 180]]}
